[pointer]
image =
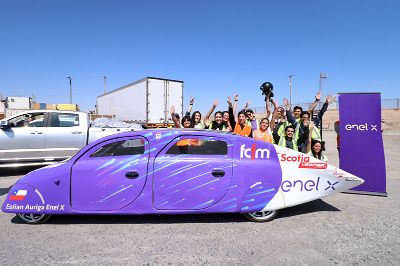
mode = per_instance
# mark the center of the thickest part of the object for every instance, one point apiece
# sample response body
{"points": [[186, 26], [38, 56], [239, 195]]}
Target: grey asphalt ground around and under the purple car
{"points": [[342, 229]]}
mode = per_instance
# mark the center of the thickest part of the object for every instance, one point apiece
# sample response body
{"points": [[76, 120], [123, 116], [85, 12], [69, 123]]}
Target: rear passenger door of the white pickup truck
{"points": [[64, 135]]}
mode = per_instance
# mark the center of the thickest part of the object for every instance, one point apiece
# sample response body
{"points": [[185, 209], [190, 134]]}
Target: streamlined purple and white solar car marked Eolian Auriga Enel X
{"points": [[176, 171]]}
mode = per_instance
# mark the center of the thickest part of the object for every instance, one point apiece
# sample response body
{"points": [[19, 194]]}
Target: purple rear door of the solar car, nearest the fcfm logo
{"points": [[192, 173]]}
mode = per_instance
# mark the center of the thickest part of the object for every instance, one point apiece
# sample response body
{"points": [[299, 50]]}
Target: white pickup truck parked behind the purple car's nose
{"points": [[40, 137]]}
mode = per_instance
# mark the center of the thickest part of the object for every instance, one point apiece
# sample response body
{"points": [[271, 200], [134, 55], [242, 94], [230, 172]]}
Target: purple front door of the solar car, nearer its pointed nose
{"points": [[110, 175]]}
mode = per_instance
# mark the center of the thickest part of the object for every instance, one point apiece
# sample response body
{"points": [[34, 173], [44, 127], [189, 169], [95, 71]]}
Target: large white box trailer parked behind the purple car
{"points": [[146, 101]]}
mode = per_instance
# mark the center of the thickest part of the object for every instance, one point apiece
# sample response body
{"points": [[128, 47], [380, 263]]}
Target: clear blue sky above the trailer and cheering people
{"points": [[216, 47]]}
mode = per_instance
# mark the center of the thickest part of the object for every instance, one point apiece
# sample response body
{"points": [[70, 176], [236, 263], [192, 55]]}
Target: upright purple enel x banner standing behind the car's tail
{"points": [[361, 143]]}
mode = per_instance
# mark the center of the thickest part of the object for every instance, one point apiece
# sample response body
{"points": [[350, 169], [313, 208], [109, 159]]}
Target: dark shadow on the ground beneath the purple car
{"points": [[314, 206]]}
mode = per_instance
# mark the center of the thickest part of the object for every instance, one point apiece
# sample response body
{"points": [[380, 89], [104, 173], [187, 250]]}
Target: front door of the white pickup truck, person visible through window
{"points": [[24, 138]]}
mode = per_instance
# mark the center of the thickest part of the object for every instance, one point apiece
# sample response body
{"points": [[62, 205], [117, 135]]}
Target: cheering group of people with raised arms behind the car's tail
{"points": [[297, 129]]}
